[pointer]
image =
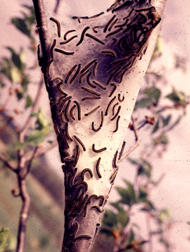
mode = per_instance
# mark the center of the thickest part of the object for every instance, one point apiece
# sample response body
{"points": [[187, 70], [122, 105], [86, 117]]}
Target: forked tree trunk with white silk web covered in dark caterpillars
{"points": [[93, 67]]}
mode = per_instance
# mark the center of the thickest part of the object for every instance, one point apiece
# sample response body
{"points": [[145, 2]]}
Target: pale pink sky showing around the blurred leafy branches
{"points": [[174, 190]]}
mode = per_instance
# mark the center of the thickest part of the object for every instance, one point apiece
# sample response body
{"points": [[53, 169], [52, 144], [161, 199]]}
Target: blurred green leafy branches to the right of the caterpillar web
{"points": [[158, 113]]}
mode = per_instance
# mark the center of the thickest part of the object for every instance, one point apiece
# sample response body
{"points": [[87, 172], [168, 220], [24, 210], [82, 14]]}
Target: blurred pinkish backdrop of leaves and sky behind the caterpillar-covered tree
{"points": [[158, 170]]}
